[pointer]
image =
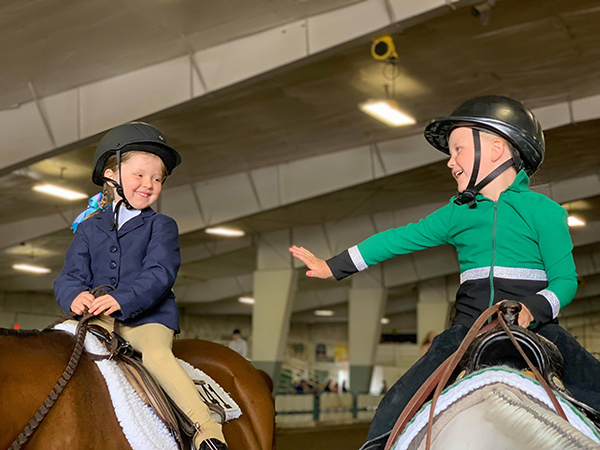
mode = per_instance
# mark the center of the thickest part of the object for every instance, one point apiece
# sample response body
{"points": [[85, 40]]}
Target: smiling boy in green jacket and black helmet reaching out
{"points": [[512, 244]]}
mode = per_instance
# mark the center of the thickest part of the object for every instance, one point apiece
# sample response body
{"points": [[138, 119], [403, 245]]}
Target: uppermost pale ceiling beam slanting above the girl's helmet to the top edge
{"points": [[33, 129]]}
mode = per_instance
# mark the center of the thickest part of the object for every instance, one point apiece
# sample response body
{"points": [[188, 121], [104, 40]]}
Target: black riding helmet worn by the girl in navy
{"points": [[133, 136]]}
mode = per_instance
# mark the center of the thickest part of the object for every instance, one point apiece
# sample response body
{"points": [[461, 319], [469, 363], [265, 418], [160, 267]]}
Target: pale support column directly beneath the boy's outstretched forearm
{"points": [[367, 305]]}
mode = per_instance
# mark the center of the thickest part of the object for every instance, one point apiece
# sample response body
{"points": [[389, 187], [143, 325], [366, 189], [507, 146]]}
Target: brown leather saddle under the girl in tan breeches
{"points": [[129, 361]]}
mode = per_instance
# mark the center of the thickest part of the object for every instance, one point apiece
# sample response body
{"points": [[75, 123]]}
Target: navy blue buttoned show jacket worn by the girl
{"points": [[140, 260]]}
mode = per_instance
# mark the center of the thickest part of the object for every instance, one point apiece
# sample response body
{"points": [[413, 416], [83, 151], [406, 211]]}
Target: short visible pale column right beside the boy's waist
{"points": [[433, 307]]}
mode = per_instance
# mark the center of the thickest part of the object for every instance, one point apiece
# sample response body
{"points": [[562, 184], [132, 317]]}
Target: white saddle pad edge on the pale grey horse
{"points": [[487, 377]]}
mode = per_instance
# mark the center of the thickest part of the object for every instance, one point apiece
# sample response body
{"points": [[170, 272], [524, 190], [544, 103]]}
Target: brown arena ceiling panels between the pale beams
{"points": [[543, 53]]}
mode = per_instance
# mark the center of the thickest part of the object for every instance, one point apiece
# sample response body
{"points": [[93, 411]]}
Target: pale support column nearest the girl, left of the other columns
{"points": [[274, 289]]}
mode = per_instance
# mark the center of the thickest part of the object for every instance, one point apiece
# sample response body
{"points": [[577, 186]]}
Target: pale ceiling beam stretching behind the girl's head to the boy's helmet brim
{"points": [[196, 206]]}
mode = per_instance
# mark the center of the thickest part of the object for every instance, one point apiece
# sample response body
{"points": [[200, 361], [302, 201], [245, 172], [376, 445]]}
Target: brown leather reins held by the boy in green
{"points": [[442, 374]]}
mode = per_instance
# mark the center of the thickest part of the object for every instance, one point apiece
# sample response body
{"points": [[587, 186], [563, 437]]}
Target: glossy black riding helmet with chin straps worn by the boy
{"points": [[498, 115]]}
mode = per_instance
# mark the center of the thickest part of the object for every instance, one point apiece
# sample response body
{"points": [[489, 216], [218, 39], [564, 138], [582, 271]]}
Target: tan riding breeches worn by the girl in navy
{"points": [[154, 341]]}
